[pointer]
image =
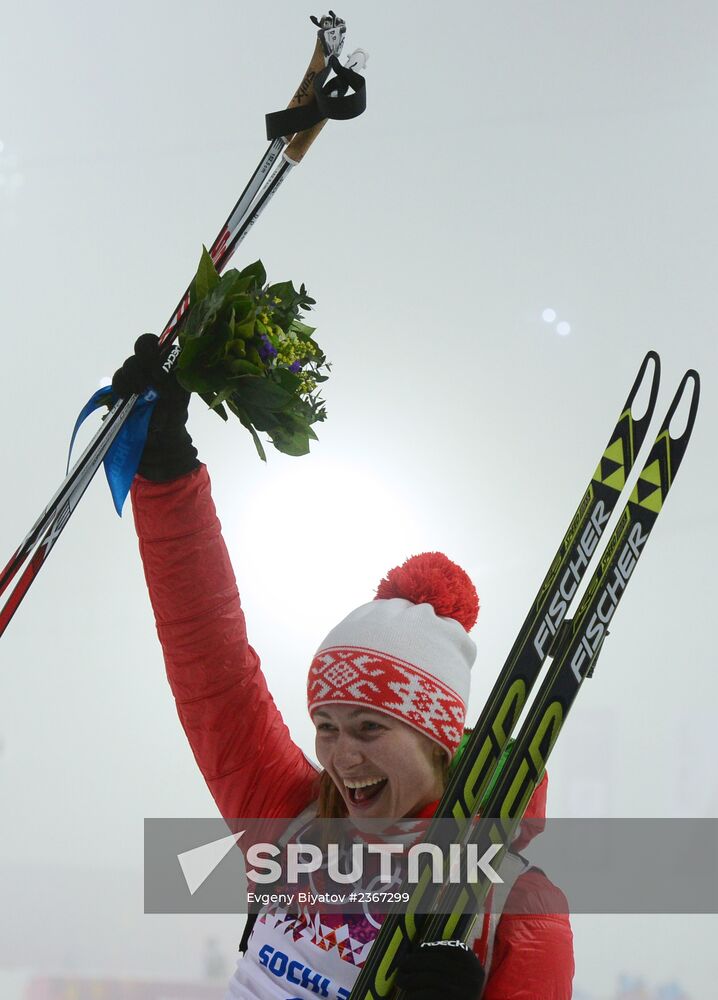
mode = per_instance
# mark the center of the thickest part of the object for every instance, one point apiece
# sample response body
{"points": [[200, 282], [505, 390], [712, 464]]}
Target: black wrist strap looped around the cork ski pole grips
{"points": [[331, 100]]}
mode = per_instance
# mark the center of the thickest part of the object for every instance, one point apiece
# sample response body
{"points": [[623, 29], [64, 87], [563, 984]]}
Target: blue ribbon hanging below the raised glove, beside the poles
{"points": [[124, 454]]}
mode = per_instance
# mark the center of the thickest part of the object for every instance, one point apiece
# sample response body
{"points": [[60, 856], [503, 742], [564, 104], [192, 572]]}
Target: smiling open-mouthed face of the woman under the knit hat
{"points": [[381, 766]]}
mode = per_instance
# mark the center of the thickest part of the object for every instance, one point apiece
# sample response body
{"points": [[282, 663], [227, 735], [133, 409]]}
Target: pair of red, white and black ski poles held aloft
{"points": [[317, 95]]}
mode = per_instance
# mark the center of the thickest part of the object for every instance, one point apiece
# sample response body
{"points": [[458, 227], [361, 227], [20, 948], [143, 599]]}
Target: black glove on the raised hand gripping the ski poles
{"points": [[168, 451]]}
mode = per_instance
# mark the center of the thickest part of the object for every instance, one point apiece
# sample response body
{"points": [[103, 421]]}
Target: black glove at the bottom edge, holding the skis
{"points": [[441, 970]]}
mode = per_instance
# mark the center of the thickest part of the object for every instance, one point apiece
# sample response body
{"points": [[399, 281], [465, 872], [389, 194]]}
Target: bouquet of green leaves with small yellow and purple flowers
{"points": [[245, 349]]}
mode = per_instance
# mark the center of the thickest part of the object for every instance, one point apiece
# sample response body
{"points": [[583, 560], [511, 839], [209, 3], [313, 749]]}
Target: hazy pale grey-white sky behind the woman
{"points": [[513, 158]]}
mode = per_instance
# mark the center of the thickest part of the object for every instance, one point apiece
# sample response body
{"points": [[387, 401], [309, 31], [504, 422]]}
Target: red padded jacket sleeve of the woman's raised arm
{"points": [[236, 732]]}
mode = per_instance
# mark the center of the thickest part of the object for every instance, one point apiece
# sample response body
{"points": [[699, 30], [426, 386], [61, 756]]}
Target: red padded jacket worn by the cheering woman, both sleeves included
{"points": [[215, 675]]}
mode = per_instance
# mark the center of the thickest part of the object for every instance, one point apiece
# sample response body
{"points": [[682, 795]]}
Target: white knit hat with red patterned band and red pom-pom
{"points": [[406, 653]]}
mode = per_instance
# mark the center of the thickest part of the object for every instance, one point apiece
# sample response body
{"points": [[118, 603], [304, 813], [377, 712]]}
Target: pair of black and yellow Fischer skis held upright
{"points": [[448, 912]]}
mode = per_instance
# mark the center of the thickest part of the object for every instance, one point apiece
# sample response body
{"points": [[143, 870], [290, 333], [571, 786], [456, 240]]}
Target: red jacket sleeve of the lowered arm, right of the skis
{"points": [[533, 949]]}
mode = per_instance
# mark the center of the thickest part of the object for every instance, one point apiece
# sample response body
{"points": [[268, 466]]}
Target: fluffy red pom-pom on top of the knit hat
{"points": [[432, 578]]}
